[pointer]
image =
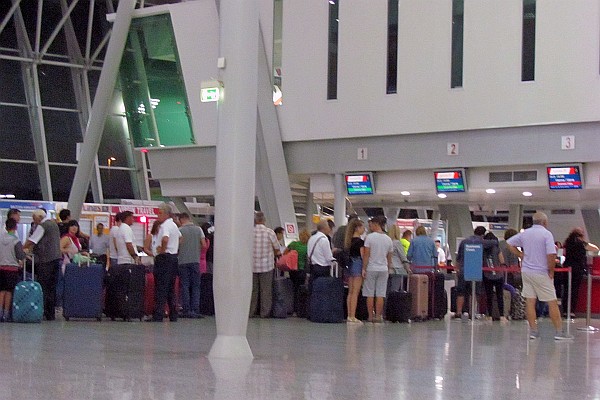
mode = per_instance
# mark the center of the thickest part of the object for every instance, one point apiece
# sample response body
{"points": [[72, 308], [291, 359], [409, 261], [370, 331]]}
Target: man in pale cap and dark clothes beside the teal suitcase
{"points": [[45, 242]]}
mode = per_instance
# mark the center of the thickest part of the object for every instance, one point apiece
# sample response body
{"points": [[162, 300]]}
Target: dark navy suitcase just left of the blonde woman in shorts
{"points": [[327, 298]]}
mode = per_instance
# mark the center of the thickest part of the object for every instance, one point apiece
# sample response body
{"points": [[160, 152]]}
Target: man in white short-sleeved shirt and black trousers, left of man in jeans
{"points": [[166, 265]]}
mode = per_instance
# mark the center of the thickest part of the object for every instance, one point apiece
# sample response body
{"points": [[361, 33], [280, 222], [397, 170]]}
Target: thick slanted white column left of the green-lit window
{"points": [[100, 108]]}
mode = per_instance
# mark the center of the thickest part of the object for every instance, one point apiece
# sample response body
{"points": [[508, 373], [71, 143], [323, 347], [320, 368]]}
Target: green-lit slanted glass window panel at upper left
{"points": [[152, 84]]}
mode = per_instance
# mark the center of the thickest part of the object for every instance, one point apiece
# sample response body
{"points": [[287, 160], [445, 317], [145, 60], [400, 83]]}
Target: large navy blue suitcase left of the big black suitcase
{"points": [[82, 296]]}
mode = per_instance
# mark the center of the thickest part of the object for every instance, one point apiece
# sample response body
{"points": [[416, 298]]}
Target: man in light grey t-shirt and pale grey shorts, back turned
{"points": [[377, 261]]}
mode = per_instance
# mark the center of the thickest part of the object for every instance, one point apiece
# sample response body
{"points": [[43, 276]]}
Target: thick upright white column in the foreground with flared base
{"points": [[235, 178]]}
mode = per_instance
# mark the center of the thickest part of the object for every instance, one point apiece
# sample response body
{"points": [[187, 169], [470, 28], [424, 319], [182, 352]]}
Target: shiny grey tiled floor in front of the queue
{"points": [[297, 359]]}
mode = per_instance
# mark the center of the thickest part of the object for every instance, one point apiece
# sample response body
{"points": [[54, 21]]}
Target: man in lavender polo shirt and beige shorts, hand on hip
{"points": [[538, 257]]}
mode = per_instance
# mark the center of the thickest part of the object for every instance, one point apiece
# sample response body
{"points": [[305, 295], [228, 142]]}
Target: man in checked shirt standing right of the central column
{"points": [[266, 247]]}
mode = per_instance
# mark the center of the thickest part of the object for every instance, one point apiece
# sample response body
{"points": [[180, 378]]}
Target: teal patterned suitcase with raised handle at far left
{"points": [[28, 299]]}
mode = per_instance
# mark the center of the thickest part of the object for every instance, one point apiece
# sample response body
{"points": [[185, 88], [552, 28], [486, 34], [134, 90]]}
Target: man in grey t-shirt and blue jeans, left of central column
{"points": [[189, 266]]}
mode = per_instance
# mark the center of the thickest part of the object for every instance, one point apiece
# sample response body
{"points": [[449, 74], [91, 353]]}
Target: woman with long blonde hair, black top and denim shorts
{"points": [[354, 245]]}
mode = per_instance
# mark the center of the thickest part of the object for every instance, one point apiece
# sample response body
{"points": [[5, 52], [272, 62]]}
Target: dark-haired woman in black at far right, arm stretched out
{"points": [[575, 250]]}
